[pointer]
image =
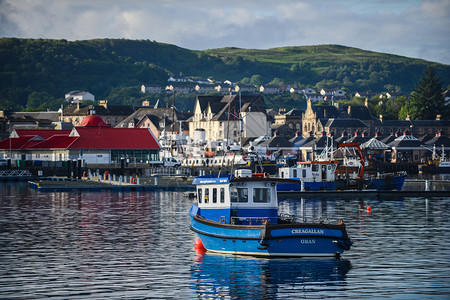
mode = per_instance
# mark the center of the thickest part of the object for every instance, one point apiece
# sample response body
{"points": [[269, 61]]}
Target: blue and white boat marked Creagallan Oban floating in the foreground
{"points": [[239, 215]]}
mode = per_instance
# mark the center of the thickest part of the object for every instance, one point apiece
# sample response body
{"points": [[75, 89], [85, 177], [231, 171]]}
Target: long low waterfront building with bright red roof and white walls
{"points": [[94, 142]]}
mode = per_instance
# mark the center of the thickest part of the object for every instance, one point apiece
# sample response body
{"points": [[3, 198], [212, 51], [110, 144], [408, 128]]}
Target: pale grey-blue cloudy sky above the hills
{"points": [[413, 28]]}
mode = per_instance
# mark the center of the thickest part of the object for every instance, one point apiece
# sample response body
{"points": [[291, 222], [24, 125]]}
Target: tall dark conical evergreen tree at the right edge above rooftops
{"points": [[427, 98]]}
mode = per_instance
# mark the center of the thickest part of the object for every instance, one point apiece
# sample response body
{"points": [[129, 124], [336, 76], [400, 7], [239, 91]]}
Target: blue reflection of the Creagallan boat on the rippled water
{"points": [[242, 277]]}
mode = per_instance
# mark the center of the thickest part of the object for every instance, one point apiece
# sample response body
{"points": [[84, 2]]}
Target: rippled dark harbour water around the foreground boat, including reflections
{"points": [[138, 245]]}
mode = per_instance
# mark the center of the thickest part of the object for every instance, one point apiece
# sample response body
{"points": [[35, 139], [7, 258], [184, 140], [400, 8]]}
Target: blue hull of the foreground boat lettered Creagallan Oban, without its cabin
{"points": [[277, 240]]}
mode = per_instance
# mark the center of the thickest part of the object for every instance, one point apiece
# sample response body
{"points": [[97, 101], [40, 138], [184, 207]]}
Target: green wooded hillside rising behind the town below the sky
{"points": [[37, 73]]}
